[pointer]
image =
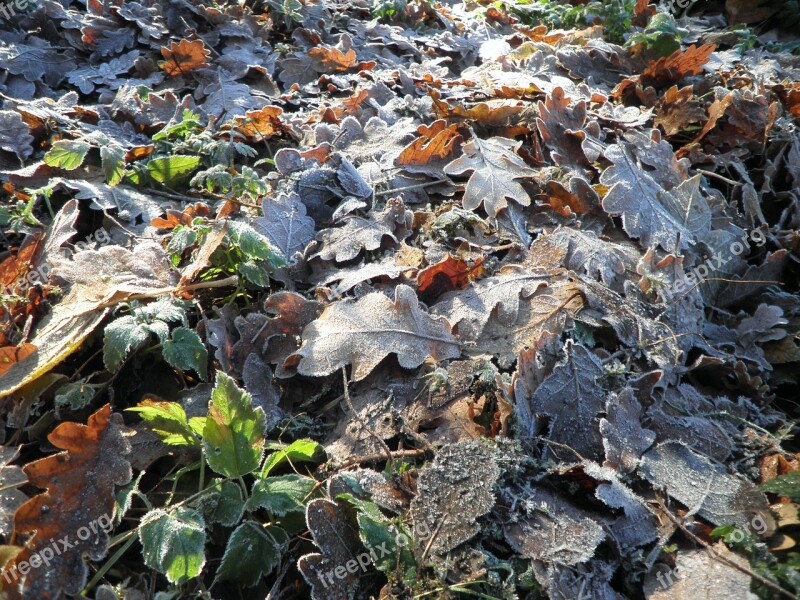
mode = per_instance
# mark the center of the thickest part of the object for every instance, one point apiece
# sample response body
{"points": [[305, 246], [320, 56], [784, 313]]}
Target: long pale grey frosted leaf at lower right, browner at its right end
{"points": [[705, 488]]}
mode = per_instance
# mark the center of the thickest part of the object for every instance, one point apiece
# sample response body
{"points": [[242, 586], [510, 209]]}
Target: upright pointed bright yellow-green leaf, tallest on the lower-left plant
{"points": [[233, 435]]}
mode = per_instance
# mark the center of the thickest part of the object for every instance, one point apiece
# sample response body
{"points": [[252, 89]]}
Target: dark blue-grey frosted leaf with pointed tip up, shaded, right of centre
{"points": [[572, 399]]}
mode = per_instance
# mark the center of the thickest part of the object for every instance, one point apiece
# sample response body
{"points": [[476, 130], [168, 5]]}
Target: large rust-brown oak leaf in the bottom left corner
{"points": [[74, 515]]}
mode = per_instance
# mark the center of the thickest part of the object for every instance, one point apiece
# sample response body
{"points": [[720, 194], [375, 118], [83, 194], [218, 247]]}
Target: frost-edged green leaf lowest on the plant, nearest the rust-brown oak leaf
{"points": [[173, 543]]}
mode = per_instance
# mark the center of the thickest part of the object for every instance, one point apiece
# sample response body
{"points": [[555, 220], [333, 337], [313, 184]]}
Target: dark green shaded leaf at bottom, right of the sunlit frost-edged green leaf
{"points": [[252, 552]]}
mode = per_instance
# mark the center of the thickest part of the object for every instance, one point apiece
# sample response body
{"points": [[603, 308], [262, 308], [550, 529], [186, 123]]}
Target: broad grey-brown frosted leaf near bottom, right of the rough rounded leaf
{"points": [[557, 532]]}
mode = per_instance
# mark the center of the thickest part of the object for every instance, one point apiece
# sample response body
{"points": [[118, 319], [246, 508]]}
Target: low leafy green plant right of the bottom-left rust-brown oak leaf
{"points": [[257, 519]]}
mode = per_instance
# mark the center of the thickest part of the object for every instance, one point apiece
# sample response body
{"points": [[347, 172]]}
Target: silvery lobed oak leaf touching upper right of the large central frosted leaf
{"points": [[470, 309]]}
